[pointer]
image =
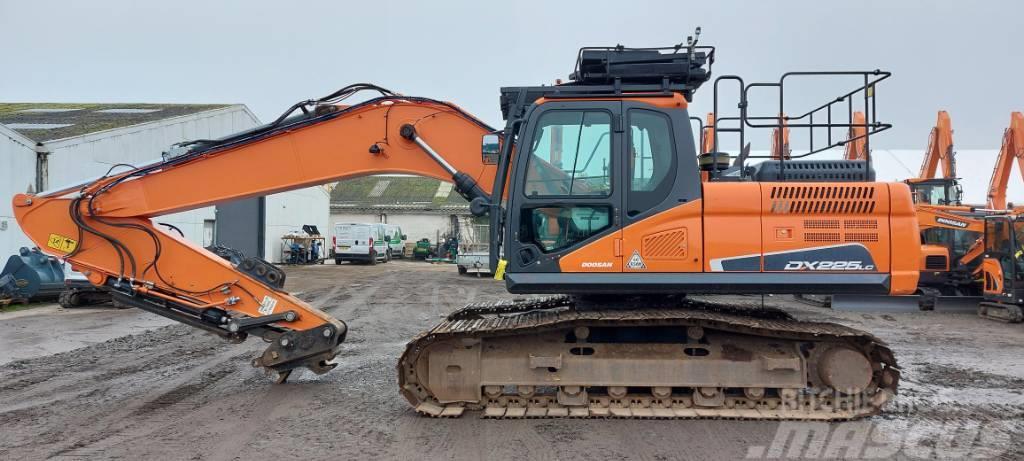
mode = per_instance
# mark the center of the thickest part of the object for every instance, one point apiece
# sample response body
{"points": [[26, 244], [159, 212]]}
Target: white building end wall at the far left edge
{"points": [[18, 175]]}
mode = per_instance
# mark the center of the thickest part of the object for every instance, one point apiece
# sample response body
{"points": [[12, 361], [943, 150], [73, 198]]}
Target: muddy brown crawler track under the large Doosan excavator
{"points": [[545, 358]]}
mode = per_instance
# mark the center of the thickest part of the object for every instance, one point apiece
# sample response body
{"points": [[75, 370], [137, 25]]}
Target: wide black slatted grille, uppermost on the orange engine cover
{"points": [[823, 200]]}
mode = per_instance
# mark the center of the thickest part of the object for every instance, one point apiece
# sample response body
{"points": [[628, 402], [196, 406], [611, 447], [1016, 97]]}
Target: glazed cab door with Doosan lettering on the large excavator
{"points": [[566, 197]]}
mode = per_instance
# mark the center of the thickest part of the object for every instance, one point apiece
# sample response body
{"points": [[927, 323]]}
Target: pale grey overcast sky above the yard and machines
{"points": [[958, 56]]}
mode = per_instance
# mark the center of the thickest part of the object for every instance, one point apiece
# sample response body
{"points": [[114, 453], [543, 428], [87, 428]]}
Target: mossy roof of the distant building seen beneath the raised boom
{"points": [[410, 192]]}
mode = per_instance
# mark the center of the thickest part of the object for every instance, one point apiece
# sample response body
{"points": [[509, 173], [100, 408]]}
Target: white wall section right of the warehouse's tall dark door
{"points": [[287, 213]]}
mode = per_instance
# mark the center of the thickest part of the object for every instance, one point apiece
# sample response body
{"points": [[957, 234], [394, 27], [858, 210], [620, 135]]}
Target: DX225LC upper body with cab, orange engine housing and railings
{"points": [[608, 193]]}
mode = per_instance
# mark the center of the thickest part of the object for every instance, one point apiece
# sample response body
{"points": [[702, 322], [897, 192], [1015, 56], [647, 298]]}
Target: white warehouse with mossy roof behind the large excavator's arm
{"points": [[50, 146]]}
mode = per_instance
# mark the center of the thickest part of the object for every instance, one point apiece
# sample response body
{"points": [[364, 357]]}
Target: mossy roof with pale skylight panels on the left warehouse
{"points": [[82, 119]]}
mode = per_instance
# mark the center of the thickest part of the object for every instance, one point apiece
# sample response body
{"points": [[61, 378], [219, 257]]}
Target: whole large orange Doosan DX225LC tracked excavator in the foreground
{"points": [[596, 204]]}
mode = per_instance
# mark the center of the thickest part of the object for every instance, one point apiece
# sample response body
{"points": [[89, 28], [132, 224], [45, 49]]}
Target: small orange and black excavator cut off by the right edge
{"points": [[1003, 269]]}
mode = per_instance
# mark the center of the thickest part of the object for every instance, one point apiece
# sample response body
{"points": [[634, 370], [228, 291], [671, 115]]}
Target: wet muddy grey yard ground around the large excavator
{"points": [[156, 392]]}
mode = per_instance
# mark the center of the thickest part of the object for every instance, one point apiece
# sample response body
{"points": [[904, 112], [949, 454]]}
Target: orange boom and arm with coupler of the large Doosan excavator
{"points": [[105, 230]]}
